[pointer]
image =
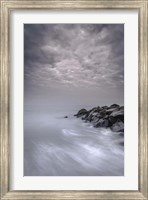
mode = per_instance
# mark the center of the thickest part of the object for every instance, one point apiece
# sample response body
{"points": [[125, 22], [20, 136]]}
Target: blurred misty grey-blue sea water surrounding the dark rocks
{"points": [[58, 146]]}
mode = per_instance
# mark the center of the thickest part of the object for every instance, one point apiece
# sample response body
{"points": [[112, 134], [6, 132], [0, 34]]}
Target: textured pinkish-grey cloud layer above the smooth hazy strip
{"points": [[74, 55]]}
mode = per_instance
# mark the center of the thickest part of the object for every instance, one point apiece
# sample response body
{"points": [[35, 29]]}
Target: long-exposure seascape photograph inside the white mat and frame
{"points": [[73, 99]]}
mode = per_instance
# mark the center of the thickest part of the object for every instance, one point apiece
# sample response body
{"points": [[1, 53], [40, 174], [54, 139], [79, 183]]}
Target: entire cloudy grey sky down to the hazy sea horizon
{"points": [[73, 64]]}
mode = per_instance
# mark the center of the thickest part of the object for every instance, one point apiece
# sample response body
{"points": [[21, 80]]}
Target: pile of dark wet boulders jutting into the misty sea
{"points": [[107, 116]]}
